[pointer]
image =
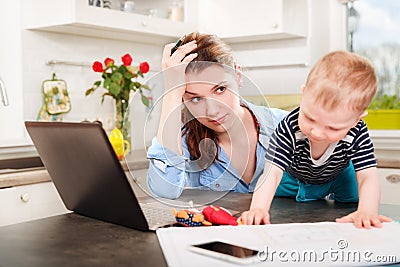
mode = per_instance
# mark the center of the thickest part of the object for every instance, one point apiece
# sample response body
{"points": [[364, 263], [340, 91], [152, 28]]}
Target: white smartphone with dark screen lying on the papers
{"points": [[226, 251]]}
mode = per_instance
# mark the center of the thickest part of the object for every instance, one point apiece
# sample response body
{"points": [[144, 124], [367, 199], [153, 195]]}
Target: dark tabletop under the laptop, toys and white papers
{"points": [[74, 240]]}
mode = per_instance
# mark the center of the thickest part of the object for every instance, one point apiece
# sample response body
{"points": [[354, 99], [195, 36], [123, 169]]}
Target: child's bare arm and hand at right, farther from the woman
{"points": [[369, 190]]}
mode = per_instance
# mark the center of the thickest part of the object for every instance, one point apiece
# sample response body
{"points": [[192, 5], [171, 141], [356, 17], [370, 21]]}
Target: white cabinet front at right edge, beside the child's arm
{"points": [[390, 185]]}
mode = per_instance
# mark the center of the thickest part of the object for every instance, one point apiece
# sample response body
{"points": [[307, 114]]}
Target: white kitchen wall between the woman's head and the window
{"points": [[278, 69]]}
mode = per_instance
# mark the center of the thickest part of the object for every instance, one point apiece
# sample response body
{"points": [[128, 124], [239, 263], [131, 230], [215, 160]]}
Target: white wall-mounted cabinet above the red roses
{"points": [[77, 17]]}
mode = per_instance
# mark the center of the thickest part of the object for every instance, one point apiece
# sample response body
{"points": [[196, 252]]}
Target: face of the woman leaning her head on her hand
{"points": [[211, 96]]}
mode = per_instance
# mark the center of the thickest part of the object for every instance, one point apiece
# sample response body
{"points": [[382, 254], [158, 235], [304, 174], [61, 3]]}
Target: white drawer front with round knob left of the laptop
{"points": [[29, 202]]}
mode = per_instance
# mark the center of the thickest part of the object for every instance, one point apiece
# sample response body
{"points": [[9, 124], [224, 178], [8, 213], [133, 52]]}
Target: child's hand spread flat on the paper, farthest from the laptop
{"points": [[364, 220]]}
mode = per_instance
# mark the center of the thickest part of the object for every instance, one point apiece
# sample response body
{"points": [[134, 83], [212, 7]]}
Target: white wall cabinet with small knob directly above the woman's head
{"points": [[254, 20]]}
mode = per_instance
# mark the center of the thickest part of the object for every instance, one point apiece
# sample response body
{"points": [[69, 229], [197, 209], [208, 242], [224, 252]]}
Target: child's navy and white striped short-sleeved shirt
{"points": [[289, 149]]}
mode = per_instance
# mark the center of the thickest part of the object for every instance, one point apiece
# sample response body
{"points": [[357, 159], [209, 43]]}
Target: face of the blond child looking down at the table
{"points": [[322, 125]]}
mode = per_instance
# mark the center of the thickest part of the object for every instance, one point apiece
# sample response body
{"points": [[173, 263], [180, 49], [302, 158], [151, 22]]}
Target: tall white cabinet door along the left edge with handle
{"points": [[12, 130]]}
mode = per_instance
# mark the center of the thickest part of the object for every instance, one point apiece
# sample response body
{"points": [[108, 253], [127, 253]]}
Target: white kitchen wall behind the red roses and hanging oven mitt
{"points": [[46, 46]]}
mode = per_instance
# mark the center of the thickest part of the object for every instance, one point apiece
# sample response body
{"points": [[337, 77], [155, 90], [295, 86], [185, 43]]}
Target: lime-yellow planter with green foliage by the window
{"points": [[384, 113]]}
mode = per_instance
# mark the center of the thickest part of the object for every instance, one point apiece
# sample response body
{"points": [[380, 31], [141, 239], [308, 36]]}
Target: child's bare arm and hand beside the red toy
{"points": [[263, 195]]}
